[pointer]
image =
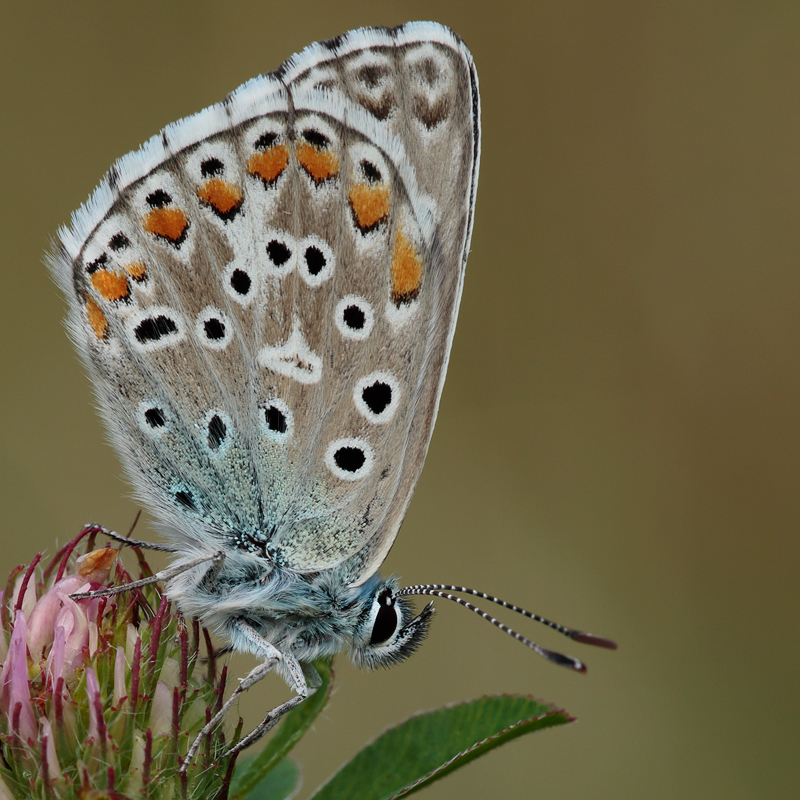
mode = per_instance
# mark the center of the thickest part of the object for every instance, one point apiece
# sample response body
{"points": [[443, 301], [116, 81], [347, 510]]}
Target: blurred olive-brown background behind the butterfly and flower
{"points": [[618, 444]]}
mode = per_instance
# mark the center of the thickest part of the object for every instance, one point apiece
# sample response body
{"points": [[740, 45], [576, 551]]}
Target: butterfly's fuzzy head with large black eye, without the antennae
{"points": [[387, 631]]}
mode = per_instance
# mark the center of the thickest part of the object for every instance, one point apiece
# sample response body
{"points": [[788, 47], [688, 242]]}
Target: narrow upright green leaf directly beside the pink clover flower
{"points": [[289, 732]]}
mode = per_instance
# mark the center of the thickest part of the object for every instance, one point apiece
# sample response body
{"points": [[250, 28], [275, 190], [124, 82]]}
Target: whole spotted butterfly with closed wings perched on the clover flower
{"points": [[265, 296]]}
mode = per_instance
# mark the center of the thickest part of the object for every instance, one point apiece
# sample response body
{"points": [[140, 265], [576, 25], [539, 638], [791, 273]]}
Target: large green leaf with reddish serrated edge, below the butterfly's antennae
{"points": [[432, 744]]}
